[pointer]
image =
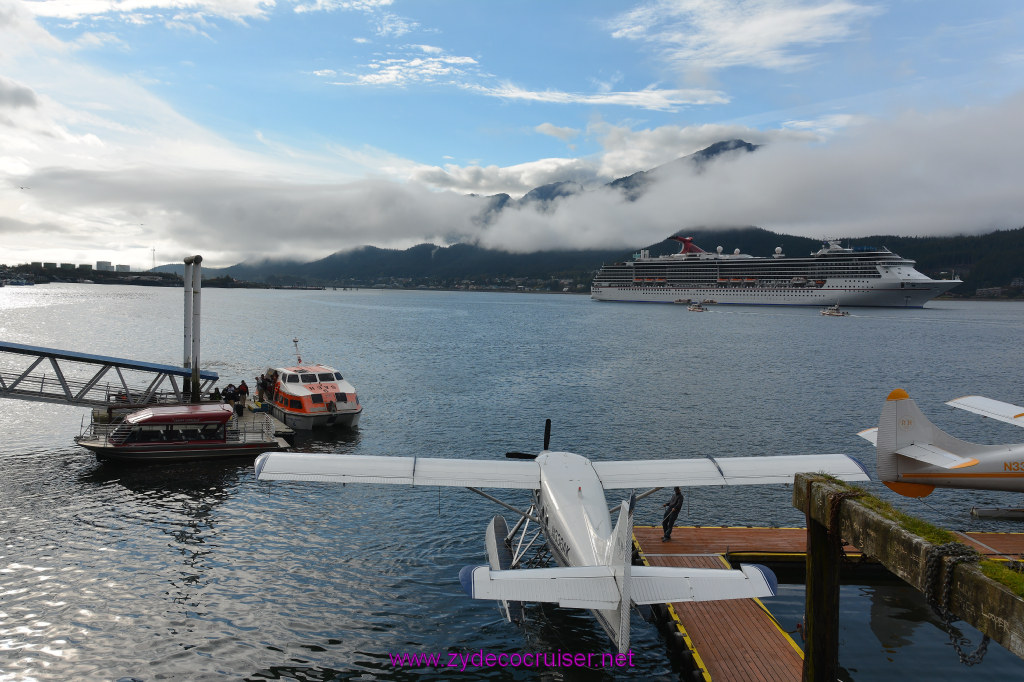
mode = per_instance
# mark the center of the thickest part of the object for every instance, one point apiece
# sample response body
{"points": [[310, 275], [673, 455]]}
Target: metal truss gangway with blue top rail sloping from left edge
{"points": [[51, 375]]}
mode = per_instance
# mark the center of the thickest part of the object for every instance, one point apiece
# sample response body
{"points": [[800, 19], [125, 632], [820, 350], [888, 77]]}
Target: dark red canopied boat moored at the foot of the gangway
{"points": [[172, 434]]}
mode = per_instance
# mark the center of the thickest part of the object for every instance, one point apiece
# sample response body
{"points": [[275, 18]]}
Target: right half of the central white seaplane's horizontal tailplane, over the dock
{"points": [[656, 585]]}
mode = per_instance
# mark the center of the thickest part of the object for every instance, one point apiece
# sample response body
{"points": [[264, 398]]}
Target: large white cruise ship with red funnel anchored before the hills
{"points": [[860, 276]]}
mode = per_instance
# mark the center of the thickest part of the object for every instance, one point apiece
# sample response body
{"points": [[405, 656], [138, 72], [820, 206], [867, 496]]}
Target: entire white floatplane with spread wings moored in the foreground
{"points": [[570, 507]]}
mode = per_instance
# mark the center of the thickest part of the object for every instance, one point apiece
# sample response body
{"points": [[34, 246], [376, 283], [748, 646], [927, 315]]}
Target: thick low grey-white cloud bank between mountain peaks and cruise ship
{"points": [[955, 172]]}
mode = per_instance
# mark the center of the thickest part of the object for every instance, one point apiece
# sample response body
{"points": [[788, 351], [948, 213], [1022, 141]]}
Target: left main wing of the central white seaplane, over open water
{"points": [[399, 471]]}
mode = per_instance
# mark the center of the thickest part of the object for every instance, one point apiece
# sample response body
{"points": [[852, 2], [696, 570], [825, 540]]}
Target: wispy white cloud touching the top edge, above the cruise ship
{"points": [[716, 34]]}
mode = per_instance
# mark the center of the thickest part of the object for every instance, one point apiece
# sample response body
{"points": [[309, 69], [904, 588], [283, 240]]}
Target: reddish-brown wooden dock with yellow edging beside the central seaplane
{"points": [[739, 640]]}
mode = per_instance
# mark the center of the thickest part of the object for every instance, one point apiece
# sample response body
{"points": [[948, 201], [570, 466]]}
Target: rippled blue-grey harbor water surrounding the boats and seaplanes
{"points": [[199, 572]]}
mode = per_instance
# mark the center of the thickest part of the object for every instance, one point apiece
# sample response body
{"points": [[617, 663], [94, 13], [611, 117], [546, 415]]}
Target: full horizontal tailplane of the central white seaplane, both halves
{"points": [[596, 588]]}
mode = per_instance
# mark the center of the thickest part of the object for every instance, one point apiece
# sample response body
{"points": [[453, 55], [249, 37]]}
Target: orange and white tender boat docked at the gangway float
{"points": [[307, 397]]}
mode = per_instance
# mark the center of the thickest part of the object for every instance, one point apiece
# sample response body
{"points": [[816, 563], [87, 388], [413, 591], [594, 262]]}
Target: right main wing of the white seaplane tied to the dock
{"points": [[726, 471]]}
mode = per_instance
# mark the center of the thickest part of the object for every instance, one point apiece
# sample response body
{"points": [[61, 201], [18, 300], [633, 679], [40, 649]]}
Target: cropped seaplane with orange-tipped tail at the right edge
{"points": [[915, 457]]}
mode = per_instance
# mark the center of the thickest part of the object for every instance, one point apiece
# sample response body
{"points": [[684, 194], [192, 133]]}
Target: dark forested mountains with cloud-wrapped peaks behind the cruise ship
{"points": [[986, 261]]}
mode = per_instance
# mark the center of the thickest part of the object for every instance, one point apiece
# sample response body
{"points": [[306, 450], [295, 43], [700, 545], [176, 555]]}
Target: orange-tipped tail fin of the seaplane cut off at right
{"points": [[905, 431]]}
